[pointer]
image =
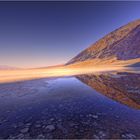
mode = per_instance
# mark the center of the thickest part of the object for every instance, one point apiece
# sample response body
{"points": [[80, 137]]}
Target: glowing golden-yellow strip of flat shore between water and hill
{"points": [[9, 76]]}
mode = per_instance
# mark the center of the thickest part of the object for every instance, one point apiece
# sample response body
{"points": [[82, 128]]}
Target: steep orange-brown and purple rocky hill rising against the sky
{"points": [[120, 45]]}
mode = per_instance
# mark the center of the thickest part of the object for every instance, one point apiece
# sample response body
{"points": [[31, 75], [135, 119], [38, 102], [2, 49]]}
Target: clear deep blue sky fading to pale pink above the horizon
{"points": [[39, 34]]}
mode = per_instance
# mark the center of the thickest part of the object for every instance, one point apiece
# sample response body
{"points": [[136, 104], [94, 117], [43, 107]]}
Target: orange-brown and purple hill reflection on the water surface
{"points": [[121, 87]]}
